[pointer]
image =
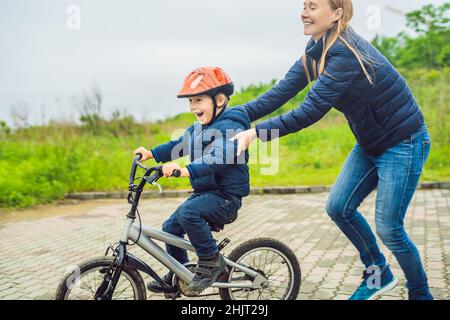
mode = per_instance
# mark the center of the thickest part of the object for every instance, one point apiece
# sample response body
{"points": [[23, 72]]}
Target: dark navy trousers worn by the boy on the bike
{"points": [[192, 217]]}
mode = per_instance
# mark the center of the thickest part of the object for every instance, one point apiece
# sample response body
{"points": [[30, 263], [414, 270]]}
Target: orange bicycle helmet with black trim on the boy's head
{"points": [[207, 80]]}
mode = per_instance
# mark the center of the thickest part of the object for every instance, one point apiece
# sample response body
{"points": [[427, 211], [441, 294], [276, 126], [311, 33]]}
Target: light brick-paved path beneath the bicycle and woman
{"points": [[38, 245]]}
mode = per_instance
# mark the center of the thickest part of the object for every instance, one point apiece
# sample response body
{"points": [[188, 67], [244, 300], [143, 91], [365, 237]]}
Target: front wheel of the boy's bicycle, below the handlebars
{"points": [[83, 282]]}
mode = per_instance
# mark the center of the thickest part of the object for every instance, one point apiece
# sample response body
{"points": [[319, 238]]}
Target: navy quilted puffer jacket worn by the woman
{"points": [[379, 115]]}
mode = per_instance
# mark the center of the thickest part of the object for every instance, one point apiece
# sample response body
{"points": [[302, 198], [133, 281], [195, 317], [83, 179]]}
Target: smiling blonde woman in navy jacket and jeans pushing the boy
{"points": [[392, 139]]}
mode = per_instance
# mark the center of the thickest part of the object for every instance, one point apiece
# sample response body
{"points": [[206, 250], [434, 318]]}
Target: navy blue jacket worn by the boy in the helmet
{"points": [[214, 165]]}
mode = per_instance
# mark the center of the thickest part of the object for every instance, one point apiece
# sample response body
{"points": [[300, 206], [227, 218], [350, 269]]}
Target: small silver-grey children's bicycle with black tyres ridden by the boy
{"points": [[119, 273]]}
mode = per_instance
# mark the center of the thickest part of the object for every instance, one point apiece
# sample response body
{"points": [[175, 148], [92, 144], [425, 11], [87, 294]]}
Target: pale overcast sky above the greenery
{"points": [[138, 52]]}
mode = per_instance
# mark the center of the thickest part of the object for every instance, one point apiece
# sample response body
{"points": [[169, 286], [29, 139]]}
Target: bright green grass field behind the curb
{"points": [[42, 164]]}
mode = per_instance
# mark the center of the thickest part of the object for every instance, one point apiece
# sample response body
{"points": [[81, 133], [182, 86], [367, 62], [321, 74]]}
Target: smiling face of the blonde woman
{"points": [[318, 16]]}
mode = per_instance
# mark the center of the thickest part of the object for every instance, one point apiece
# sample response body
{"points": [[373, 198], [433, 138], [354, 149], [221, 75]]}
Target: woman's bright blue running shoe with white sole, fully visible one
{"points": [[375, 284]]}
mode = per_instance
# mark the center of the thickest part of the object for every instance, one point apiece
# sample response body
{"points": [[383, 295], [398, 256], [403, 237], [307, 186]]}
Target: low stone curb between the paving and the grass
{"points": [[253, 191]]}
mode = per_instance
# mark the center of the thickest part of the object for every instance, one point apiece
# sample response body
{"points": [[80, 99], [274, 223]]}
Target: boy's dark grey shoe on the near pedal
{"points": [[207, 272]]}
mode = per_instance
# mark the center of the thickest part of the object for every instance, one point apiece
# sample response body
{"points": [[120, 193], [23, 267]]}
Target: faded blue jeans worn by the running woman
{"points": [[395, 173]]}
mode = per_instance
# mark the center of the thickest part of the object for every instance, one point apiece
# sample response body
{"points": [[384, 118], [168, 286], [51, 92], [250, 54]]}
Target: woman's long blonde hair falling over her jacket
{"points": [[337, 30]]}
